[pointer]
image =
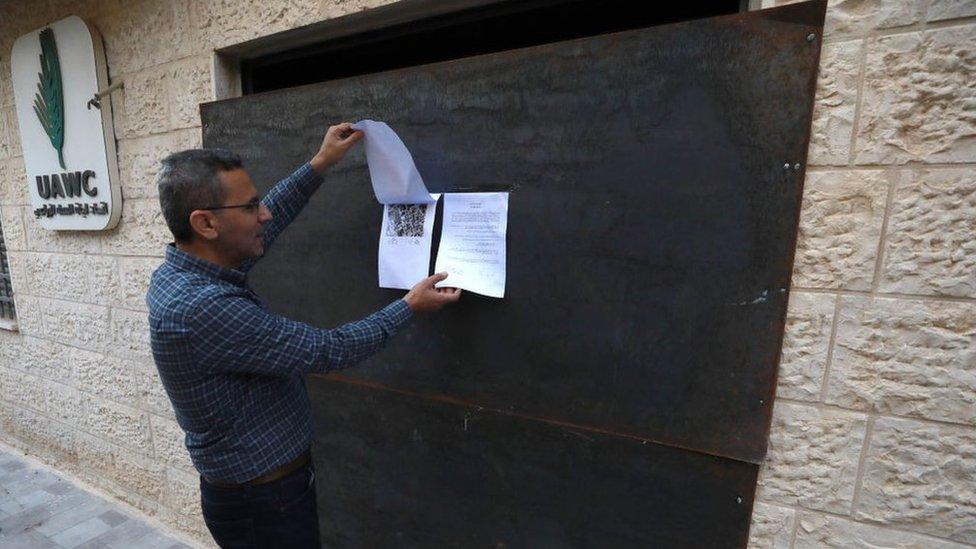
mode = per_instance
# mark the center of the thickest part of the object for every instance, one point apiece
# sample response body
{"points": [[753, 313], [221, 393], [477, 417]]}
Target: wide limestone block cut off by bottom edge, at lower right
{"points": [[816, 531]]}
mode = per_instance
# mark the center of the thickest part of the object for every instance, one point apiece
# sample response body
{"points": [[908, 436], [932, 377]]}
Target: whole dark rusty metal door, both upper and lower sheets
{"points": [[620, 395]]}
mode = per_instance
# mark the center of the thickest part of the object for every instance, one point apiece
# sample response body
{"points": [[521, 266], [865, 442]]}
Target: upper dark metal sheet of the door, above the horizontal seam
{"points": [[652, 223]]}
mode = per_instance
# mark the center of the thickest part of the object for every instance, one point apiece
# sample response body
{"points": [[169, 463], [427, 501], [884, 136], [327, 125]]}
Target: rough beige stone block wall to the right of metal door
{"points": [[873, 440]]}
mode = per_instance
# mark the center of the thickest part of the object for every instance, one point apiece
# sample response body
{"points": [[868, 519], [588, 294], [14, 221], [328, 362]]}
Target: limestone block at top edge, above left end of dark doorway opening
{"points": [[224, 22]]}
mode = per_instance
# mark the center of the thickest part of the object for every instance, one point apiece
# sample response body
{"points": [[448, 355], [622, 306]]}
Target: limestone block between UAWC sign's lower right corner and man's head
{"points": [[141, 231]]}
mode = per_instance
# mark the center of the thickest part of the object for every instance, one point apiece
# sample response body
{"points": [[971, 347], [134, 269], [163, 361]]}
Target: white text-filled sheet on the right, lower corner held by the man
{"points": [[472, 248]]}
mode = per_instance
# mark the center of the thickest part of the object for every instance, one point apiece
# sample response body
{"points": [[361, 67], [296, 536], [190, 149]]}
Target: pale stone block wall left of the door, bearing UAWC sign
{"points": [[78, 388]]}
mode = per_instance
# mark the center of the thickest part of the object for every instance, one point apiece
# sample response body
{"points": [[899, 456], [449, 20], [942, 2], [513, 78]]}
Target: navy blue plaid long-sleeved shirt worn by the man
{"points": [[232, 368]]}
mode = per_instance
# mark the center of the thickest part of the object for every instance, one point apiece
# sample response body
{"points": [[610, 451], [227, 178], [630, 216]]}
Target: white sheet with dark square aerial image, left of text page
{"points": [[405, 235]]}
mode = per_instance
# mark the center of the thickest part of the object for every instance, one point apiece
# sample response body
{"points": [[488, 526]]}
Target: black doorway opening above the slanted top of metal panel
{"points": [[351, 45]]}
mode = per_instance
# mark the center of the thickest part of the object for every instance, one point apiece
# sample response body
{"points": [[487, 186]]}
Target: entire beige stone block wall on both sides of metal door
{"points": [[873, 441]]}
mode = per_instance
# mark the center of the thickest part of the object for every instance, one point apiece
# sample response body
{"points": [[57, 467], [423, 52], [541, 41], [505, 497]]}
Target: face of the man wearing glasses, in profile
{"points": [[241, 229]]}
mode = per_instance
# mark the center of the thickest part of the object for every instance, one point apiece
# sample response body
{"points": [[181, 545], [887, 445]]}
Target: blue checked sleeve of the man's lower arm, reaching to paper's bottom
{"points": [[234, 334]]}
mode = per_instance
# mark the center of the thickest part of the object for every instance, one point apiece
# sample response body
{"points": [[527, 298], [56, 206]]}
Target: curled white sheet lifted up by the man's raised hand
{"points": [[391, 169]]}
